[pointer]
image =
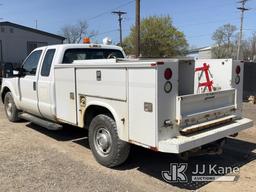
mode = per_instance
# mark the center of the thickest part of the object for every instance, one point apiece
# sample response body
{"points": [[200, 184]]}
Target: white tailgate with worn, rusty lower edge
{"points": [[199, 108]]}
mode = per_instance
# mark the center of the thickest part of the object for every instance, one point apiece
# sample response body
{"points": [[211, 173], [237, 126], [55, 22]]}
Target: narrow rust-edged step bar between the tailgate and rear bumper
{"points": [[207, 125]]}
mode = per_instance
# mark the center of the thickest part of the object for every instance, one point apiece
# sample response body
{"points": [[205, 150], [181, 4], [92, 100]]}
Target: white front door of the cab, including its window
{"points": [[28, 83]]}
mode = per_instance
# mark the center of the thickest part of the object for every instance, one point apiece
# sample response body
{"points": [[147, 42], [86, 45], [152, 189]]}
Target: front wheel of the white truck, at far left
{"points": [[11, 110]]}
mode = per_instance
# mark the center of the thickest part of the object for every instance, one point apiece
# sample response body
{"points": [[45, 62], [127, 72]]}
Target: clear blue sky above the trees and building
{"points": [[196, 18]]}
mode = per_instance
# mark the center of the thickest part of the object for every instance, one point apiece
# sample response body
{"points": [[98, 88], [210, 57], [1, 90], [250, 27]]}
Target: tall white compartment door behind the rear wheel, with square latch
{"points": [[142, 106]]}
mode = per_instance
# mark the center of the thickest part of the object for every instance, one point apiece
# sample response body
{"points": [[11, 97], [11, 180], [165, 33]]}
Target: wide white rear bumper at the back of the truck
{"points": [[185, 143]]}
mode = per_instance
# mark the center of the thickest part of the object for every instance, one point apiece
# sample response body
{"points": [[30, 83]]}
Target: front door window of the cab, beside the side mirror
{"points": [[30, 65]]}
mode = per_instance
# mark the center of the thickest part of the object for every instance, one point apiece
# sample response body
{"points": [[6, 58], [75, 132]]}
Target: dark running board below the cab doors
{"points": [[41, 122]]}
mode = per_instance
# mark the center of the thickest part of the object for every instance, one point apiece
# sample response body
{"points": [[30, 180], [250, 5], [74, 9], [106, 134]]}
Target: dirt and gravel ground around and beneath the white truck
{"points": [[35, 159]]}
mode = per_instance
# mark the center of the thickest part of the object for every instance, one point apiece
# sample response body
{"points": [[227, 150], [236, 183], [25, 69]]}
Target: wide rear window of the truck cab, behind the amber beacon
{"points": [[71, 55]]}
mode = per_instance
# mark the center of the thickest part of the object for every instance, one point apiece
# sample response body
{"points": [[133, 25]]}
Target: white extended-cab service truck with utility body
{"points": [[166, 105]]}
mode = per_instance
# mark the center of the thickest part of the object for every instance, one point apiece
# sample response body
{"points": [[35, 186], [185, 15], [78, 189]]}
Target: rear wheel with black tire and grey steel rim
{"points": [[104, 142]]}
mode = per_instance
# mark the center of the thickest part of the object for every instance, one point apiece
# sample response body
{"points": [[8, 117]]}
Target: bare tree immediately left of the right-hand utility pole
{"points": [[224, 38]]}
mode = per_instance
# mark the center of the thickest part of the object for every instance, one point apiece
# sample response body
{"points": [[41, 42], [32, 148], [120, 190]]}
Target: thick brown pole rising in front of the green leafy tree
{"points": [[137, 25]]}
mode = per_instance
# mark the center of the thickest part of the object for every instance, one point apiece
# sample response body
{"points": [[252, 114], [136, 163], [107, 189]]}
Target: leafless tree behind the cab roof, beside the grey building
{"points": [[74, 33]]}
